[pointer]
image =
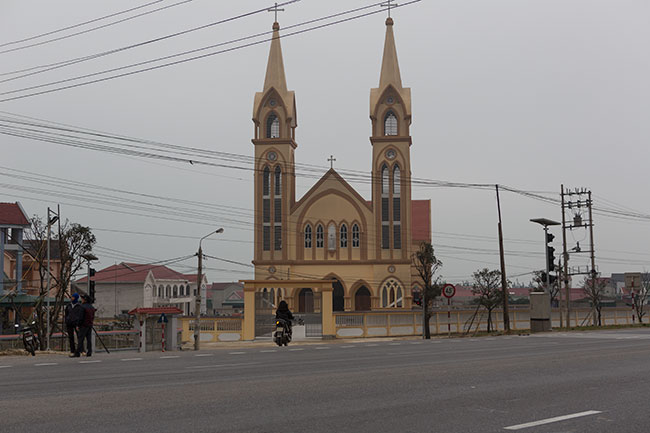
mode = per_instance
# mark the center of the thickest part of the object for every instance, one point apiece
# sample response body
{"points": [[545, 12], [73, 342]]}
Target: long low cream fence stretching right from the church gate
{"points": [[392, 323]]}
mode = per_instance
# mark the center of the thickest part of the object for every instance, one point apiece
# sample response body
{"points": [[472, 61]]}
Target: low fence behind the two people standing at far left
{"points": [[113, 340]]}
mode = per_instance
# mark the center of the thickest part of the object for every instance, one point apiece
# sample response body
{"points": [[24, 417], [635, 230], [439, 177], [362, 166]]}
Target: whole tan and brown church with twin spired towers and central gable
{"points": [[332, 232]]}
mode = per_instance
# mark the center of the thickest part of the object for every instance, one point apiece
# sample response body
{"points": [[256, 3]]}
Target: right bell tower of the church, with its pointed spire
{"points": [[390, 115]]}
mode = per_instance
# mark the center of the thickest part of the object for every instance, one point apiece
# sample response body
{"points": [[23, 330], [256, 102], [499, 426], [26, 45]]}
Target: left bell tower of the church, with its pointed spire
{"points": [[274, 117]]}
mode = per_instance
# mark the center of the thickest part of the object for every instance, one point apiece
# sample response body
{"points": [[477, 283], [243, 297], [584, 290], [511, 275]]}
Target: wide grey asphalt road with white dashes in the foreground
{"points": [[596, 381]]}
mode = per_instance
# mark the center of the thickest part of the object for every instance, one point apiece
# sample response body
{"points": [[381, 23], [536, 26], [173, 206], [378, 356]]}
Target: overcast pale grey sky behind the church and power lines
{"points": [[525, 93]]}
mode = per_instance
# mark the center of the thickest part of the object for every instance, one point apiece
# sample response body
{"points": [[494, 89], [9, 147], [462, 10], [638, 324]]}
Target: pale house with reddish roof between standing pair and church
{"points": [[125, 286]]}
